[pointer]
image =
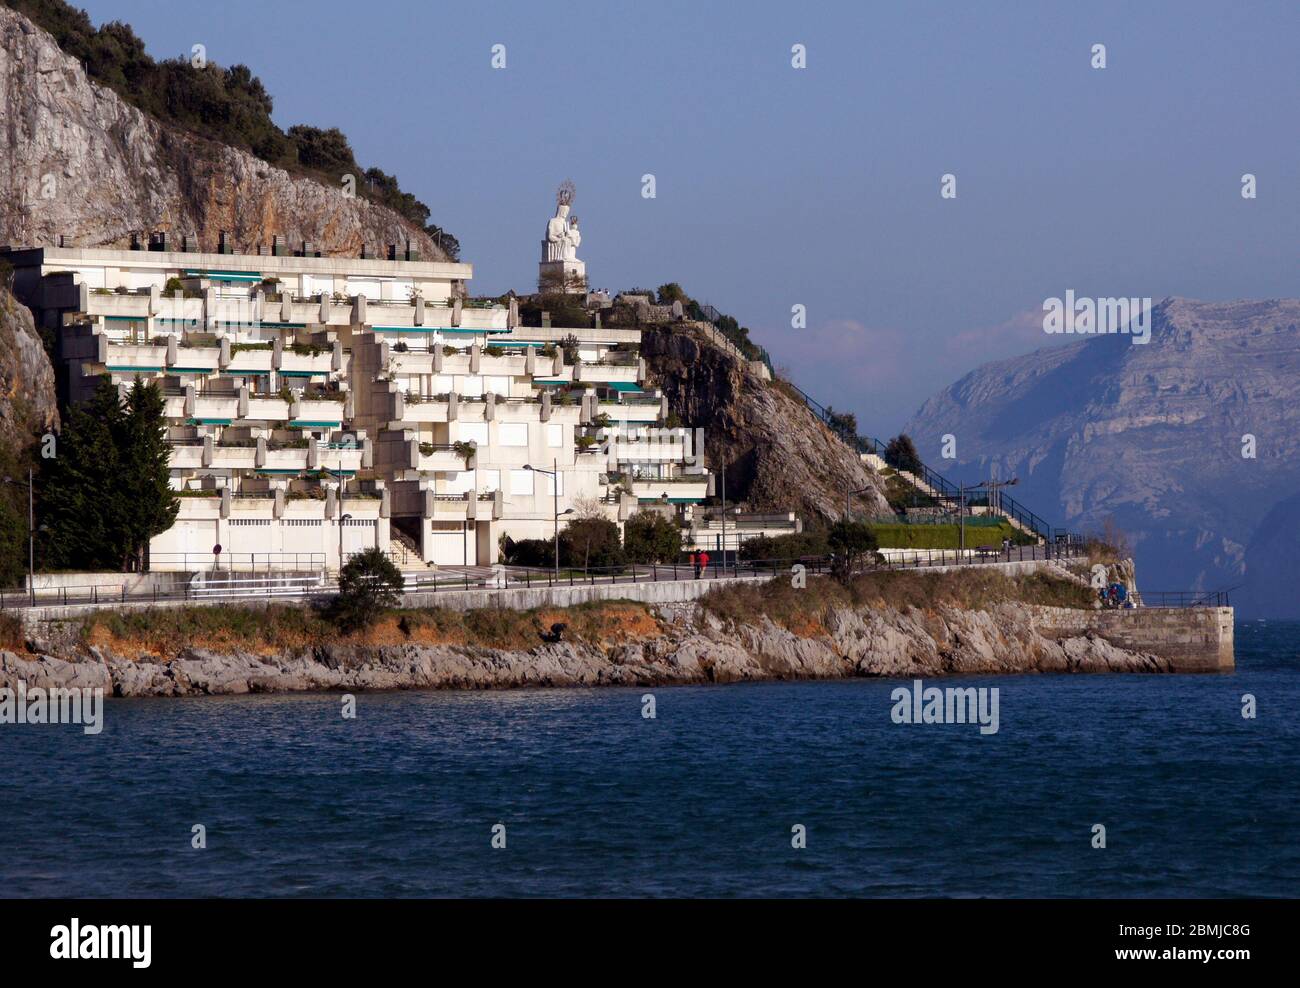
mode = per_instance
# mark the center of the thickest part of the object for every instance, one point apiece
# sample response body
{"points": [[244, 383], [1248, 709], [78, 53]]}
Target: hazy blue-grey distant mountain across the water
{"points": [[1152, 436]]}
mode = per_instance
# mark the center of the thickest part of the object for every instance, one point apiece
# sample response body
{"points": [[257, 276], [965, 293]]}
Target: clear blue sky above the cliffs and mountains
{"points": [[818, 187]]}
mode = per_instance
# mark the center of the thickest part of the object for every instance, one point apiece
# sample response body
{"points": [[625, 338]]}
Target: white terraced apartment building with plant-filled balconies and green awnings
{"points": [[324, 402]]}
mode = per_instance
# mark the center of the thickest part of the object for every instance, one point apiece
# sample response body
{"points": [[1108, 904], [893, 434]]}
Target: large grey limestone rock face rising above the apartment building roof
{"points": [[76, 161]]}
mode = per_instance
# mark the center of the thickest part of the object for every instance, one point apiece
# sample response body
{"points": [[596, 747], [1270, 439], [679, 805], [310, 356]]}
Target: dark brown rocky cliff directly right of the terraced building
{"points": [[778, 456]]}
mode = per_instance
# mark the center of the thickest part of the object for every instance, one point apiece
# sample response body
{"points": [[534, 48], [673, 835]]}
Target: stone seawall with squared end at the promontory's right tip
{"points": [[1193, 639]]}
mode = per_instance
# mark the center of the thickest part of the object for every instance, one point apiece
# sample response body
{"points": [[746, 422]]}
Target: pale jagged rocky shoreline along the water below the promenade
{"points": [[694, 648]]}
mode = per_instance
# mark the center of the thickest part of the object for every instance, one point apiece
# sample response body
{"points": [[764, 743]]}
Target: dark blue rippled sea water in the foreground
{"points": [[700, 801]]}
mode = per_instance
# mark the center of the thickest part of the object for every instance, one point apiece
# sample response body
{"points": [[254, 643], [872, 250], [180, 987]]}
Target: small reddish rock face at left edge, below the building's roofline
{"points": [[28, 400]]}
